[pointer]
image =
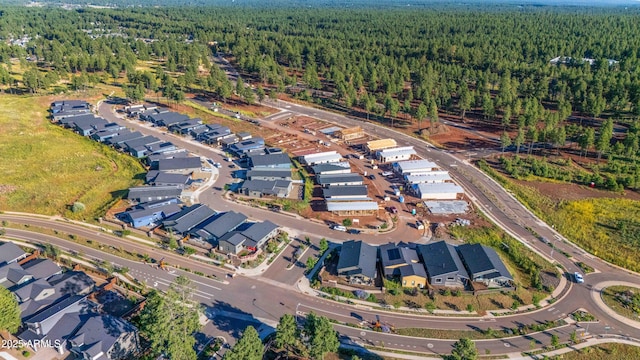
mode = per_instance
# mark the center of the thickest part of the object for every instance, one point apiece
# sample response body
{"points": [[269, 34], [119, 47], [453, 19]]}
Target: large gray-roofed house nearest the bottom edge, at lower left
{"points": [[105, 337]]}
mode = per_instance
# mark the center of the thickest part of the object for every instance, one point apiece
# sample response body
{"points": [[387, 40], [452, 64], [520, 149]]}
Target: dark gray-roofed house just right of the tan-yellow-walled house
{"points": [[443, 264]]}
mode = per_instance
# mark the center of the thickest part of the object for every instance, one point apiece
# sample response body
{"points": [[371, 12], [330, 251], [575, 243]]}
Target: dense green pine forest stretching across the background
{"points": [[489, 63]]}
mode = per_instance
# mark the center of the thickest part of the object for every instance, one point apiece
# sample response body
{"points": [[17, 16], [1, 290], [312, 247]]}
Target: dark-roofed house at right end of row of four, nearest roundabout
{"points": [[484, 265]]}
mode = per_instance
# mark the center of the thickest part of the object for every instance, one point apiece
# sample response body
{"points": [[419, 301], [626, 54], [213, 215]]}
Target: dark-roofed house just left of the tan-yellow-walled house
{"points": [[357, 262]]}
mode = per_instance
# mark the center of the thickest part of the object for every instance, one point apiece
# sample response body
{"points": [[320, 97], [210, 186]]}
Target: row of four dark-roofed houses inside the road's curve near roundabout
{"points": [[438, 264]]}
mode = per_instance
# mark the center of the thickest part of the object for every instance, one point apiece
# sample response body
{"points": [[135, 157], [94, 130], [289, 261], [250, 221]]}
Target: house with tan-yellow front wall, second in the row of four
{"points": [[403, 263]]}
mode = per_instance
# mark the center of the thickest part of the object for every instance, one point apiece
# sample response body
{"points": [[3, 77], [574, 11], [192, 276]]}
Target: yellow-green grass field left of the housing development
{"points": [[44, 168]]}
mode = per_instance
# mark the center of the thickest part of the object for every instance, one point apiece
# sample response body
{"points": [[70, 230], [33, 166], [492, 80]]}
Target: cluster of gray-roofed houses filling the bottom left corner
{"points": [[60, 308]]}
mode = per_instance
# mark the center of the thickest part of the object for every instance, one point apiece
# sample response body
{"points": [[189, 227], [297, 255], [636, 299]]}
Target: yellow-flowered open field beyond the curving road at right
{"points": [[606, 227]]}
